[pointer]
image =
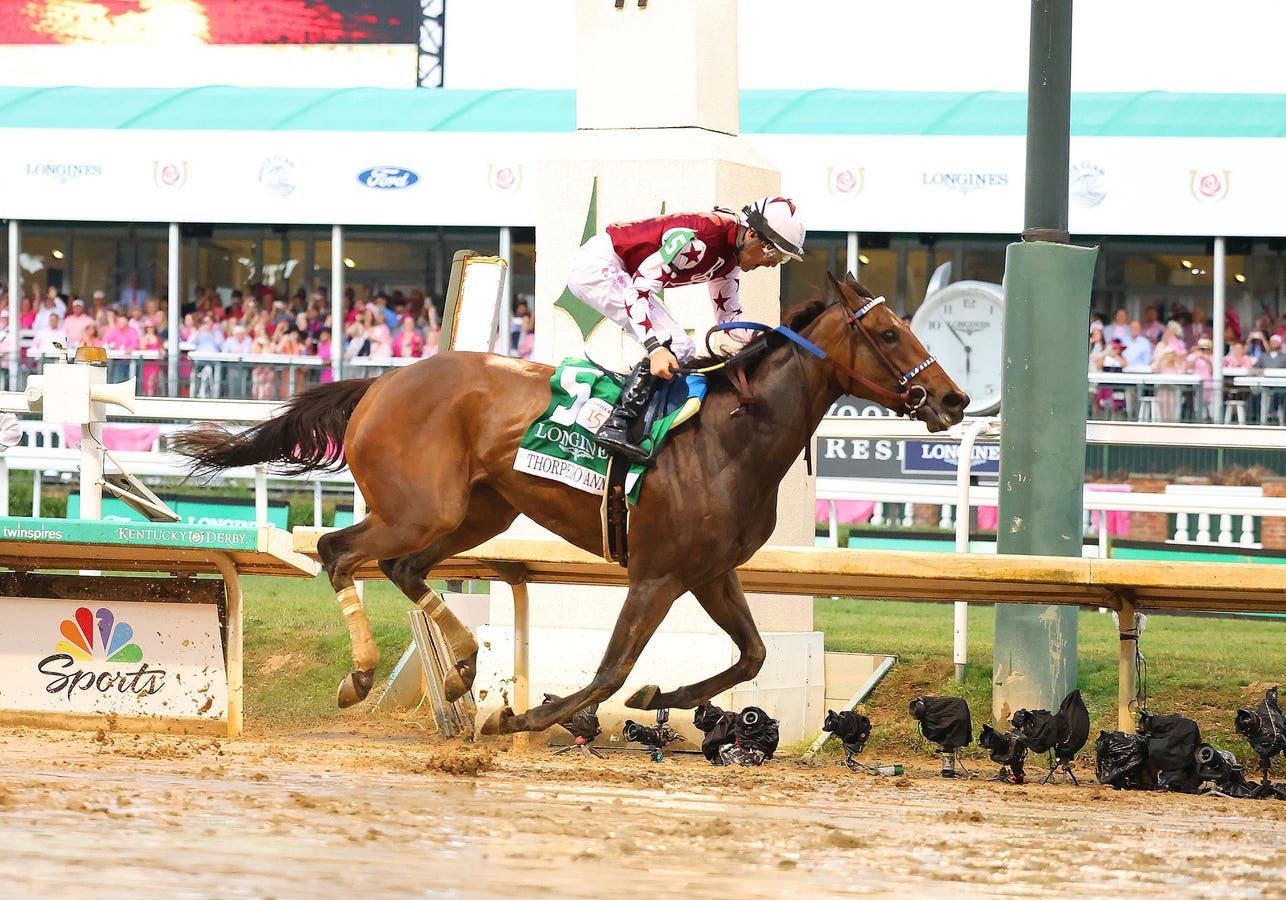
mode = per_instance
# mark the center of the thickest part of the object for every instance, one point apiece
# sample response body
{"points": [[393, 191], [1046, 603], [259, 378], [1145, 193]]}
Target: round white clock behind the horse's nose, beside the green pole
{"points": [[964, 327]]}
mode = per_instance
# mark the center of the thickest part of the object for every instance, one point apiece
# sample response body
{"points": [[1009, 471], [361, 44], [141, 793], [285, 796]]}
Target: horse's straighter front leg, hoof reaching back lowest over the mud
{"points": [[646, 606]]}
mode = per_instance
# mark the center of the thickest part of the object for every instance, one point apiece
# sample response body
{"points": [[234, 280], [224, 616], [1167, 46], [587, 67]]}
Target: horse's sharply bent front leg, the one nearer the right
{"points": [[726, 604]]}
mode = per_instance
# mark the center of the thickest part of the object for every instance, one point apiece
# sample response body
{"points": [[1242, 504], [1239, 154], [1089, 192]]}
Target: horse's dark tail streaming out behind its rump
{"points": [[305, 436]]}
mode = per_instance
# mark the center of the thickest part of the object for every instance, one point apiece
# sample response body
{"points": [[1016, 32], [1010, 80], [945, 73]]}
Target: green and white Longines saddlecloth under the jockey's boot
{"points": [[560, 445]]}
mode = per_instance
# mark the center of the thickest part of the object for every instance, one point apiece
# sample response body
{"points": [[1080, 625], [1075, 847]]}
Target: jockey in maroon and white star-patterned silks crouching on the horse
{"points": [[620, 271]]}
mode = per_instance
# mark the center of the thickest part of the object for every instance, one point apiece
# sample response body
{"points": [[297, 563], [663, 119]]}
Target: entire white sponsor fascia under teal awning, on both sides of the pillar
{"points": [[880, 183]]}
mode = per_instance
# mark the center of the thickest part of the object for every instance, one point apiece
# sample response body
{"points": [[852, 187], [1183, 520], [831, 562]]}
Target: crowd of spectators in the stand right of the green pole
{"points": [[1184, 344]]}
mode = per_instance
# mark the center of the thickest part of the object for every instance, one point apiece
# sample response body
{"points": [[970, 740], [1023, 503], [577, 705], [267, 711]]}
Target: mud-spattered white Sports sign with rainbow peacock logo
{"points": [[118, 658]]}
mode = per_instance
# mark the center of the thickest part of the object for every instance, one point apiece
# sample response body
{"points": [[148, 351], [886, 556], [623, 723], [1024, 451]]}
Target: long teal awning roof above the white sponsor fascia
{"points": [[821, 112]]}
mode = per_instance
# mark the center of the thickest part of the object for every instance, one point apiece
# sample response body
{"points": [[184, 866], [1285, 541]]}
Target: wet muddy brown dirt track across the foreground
{"points": [[127, 816]]}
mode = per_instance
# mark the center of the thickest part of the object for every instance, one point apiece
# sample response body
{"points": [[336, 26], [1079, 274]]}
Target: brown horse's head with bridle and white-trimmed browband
{"points": [[878, 358]]}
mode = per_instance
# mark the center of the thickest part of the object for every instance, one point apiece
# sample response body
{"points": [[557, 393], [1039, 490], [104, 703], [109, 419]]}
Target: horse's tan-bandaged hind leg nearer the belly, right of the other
{"points": [[488, 516]]}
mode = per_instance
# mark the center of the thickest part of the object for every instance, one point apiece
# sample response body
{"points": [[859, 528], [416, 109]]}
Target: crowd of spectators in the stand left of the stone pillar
{"points": [[260, 321]]}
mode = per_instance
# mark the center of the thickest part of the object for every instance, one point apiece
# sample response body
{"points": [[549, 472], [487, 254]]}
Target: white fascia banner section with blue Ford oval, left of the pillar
{"points": [[272, 177]]}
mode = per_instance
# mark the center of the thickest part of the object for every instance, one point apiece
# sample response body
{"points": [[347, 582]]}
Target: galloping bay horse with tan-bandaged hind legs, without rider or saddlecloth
{"points": [[433, 449]]}
